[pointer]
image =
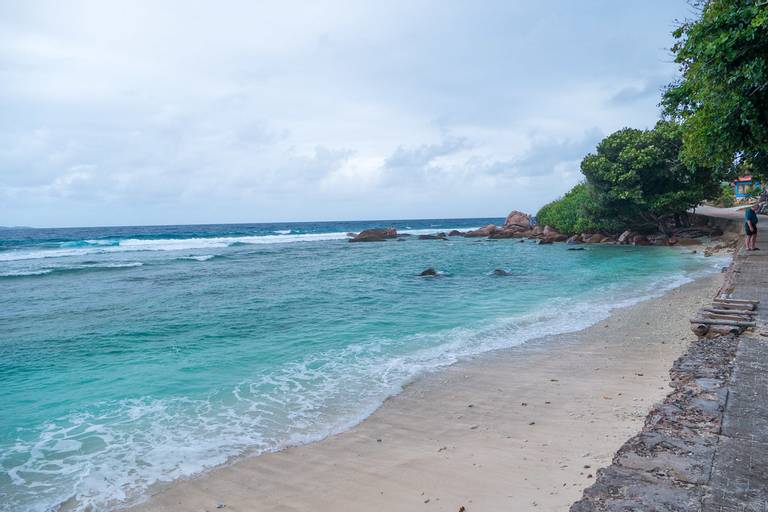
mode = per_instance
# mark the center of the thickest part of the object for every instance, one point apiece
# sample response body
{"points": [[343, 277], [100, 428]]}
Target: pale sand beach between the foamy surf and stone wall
{"points": [[464, 436]]}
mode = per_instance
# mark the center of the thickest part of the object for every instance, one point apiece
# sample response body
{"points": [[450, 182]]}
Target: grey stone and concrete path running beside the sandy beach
{"points": [[706, 446]]}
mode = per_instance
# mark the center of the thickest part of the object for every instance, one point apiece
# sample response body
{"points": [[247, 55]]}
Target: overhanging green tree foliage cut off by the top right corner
{"points": [[722, 96]]}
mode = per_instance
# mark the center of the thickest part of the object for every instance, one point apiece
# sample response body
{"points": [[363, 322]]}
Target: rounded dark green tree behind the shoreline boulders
{"points": [[640, 181]]}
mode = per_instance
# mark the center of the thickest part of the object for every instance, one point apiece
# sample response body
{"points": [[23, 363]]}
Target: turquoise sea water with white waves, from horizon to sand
{"points": [[130, 356]]}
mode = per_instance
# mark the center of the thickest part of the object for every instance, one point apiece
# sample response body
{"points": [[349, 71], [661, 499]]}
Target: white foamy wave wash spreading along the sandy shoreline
{"points": [[144, 441]]}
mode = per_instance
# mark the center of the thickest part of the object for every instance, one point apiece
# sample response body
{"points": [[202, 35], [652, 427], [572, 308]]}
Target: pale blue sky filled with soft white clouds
{"points": [[183, 112]]}
